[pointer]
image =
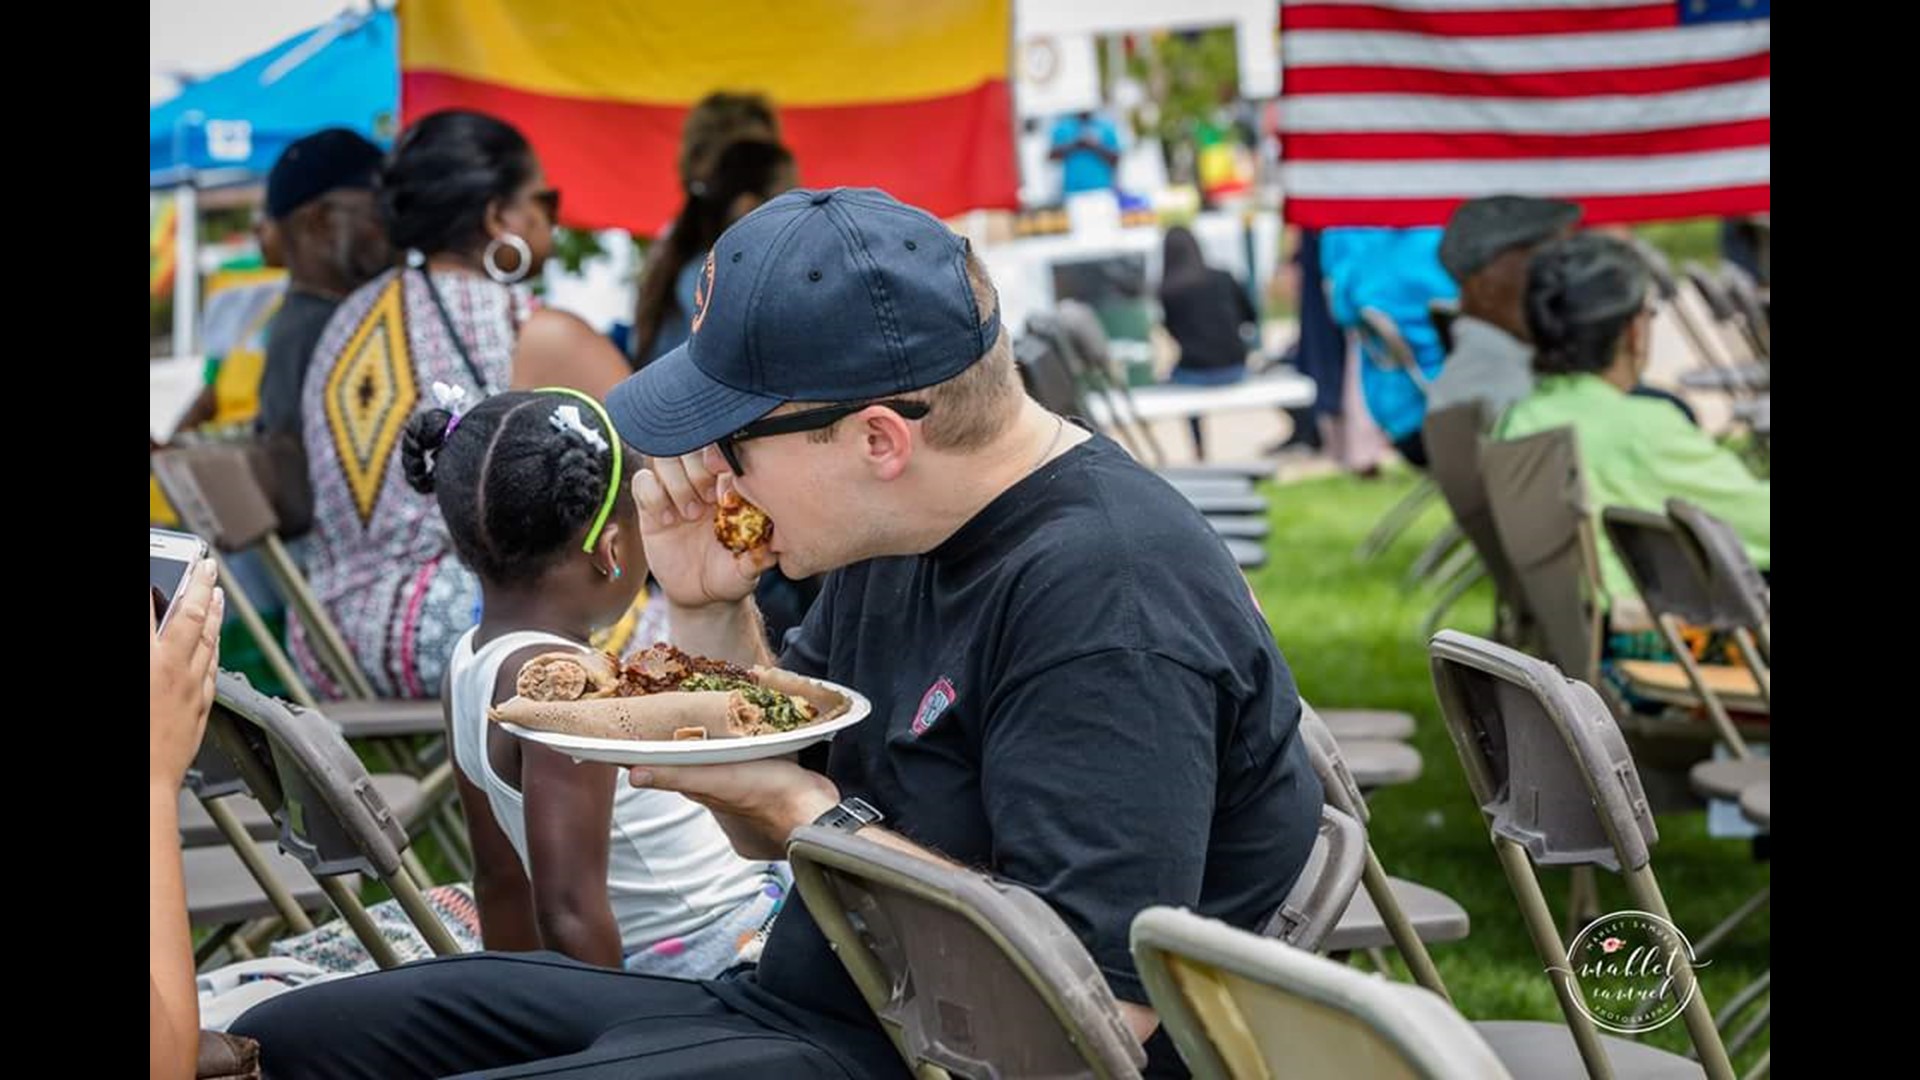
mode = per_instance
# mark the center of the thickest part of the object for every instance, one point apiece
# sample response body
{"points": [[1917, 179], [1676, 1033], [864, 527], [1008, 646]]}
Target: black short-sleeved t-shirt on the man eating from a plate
{"points": [[1074, 693]]}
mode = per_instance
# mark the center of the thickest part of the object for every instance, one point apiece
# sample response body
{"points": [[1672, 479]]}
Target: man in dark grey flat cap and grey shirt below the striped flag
{"points": [[1487, 247]]}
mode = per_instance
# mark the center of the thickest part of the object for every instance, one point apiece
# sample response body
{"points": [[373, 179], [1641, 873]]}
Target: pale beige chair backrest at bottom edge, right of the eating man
{"points": [[1247, 1008]]}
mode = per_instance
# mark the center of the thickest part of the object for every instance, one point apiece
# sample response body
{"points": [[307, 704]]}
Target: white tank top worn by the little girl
{"points": [[671, 870]]}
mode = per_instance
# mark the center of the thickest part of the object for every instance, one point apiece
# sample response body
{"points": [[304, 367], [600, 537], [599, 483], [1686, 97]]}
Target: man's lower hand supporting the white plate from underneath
{"points": [[759, 804]]}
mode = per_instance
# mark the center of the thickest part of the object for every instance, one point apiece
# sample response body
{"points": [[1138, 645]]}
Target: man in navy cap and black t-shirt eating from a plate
{"points": [[1072, 685]]}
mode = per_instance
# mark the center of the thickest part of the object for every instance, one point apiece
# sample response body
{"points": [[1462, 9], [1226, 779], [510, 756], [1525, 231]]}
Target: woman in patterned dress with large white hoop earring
{"points": [[469, 205]]}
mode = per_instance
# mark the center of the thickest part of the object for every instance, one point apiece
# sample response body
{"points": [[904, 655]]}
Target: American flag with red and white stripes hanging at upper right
{"points": [[1397, 110]]}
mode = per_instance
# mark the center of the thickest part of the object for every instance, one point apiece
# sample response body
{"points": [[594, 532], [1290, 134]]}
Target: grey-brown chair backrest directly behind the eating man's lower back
{"points": [[967, 975]]}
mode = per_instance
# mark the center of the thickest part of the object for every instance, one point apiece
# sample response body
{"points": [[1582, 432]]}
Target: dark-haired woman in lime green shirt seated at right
{"points": [[1591, 320]]}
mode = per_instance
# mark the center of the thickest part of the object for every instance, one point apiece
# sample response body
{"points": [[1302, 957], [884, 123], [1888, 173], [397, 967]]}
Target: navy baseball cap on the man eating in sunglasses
{"points": [[842, 295]]}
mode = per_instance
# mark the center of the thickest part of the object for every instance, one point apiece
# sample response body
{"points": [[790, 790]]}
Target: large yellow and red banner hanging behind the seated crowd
{"points": [[901, 95]]}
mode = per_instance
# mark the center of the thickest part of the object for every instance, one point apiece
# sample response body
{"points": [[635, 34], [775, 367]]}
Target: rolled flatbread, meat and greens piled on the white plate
{"points": [[663, 695]]}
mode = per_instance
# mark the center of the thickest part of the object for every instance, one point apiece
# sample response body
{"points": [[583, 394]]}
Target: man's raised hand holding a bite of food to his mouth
{"points": [[677, 524]]}
